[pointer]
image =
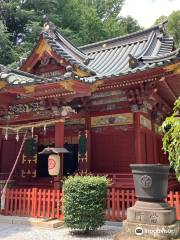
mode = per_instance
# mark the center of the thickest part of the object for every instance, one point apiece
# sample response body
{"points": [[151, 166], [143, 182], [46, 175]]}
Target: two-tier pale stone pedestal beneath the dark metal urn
{"points": [[150, 220]]}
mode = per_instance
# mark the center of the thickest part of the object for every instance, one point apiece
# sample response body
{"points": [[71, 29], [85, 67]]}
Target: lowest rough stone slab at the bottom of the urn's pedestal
{"points": [[134, 231]]}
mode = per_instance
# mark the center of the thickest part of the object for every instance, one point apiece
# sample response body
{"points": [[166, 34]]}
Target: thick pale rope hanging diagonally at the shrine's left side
{"points": [[3, 192]]}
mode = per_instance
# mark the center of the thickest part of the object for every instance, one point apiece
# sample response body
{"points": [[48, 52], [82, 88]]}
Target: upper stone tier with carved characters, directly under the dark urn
{"points": [[159, 213]]}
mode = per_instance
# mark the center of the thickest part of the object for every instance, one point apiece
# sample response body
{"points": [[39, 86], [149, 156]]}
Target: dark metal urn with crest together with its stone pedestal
{"points": [[150, 218]]}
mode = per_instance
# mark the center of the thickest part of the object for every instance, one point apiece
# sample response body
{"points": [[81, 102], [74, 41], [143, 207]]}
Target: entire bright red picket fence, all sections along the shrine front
{"points": [[48, 203]]}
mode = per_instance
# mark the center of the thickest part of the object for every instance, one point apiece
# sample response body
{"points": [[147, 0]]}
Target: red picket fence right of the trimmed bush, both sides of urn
{"points": [[118, 200]]}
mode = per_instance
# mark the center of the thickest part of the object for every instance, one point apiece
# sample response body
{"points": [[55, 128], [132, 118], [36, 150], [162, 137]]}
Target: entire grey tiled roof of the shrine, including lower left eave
{"points": [[134, 52]]}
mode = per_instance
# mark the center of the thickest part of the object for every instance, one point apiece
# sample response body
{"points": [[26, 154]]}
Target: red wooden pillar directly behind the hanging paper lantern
{"points": [[59, 142]]}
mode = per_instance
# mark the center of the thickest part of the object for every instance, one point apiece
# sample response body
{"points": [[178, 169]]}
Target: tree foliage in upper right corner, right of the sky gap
{"points": [[172, 25]]}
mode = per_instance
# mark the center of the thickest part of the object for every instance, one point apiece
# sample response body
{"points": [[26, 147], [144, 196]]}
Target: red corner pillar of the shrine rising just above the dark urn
{"points": [[137, 136]]}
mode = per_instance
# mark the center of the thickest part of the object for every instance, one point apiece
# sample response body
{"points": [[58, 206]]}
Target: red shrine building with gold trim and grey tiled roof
{"points": [[103, 102]]}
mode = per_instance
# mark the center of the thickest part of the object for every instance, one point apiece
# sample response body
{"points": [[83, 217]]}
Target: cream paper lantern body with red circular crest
{"points": [[54, 164]]}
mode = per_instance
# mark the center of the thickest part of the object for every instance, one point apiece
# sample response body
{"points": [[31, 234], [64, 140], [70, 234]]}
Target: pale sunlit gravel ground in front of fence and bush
{"points": [[21, 232]]}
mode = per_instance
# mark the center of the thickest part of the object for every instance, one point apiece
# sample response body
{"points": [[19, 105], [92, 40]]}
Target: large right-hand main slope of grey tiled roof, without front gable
{"points": [[128, 54]]}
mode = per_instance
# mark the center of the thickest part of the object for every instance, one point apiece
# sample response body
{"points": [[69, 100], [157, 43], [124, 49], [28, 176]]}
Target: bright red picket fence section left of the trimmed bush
{"points": [[34, 202]]}
